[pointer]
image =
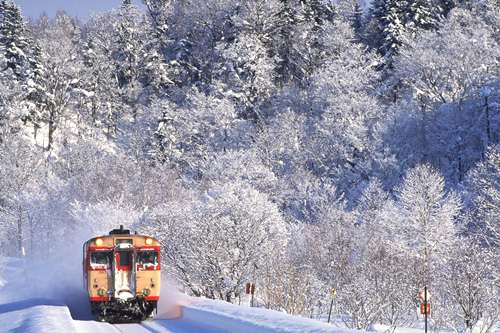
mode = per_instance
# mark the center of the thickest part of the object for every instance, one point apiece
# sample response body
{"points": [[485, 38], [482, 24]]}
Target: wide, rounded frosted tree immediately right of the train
{"points": [[222, 242]]}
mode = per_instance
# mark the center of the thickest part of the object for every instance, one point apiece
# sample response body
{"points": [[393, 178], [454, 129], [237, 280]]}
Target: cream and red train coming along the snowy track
{"points": [[122, 276]]}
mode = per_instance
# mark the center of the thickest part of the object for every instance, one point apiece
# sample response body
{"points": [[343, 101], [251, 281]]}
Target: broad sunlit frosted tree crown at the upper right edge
{"points": [[469, 64]]}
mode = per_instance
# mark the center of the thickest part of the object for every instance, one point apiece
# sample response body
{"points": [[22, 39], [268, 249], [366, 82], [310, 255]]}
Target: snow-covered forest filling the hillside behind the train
{"points": [[302, 145]]}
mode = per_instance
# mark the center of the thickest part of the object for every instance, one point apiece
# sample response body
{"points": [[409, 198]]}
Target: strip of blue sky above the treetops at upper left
{"points": [[80, 8]]}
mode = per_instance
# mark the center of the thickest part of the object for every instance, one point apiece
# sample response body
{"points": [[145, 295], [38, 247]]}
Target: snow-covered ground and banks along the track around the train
{"points": [[29, 304]]}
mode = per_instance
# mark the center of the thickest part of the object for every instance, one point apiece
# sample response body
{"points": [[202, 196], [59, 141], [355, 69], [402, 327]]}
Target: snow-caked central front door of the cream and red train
{"points": [[124, 274]]}
